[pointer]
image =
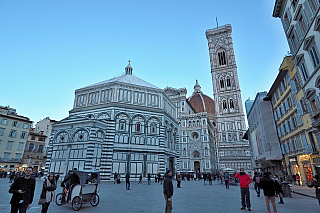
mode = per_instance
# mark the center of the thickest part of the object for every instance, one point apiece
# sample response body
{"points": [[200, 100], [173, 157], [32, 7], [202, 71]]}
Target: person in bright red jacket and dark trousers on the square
{"points": [[244, 180]]}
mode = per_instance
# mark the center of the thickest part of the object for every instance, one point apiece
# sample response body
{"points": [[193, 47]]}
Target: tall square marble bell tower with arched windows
{"points": [[227, 97]]}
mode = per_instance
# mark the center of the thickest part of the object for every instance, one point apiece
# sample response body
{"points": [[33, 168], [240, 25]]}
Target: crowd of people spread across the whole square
{"points": [[23, 186]]}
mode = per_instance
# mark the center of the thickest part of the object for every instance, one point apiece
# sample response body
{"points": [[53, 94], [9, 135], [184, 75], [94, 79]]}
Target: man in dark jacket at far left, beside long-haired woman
{"points": [[23, 192]]}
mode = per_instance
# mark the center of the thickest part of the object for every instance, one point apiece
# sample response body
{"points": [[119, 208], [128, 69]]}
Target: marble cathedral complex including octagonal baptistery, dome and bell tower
{"points": [[127, 124]]}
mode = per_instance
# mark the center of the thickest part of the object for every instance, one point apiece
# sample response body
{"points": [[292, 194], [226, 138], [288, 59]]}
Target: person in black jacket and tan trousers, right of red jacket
{"points": [[268, 186]]}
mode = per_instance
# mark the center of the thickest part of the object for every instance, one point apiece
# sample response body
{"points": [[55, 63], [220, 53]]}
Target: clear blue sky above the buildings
{"points": [[48, 49]]}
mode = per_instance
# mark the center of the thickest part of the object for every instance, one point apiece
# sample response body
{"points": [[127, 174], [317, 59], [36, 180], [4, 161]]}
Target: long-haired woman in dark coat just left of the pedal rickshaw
{"points": [[48, 188]]}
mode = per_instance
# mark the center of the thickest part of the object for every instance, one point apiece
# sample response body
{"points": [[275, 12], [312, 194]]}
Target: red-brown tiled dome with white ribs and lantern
{"points": [[201, 102]]}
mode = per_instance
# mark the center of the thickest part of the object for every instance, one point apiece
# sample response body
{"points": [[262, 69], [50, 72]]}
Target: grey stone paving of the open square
{"points": [[192, 197]]}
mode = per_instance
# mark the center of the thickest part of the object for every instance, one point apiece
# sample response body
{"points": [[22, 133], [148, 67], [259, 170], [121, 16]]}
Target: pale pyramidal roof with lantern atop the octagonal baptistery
{"points": [[127, 78]]}
